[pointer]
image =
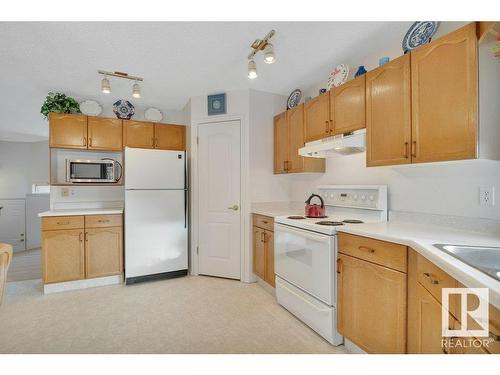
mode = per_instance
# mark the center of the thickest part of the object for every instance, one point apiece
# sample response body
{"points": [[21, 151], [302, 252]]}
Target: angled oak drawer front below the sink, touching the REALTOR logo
{"points": [[434, 279]]}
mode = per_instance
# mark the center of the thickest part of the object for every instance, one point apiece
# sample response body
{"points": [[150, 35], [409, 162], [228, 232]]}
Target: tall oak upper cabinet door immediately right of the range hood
{"points": [[388, 113]]}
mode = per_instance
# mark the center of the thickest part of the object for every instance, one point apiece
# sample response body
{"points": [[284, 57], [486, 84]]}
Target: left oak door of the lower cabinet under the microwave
{"points": [[62, 255]]}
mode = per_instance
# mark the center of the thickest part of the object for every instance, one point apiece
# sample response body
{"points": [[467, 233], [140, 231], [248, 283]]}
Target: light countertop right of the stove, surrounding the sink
{"points": [[422, 237]]}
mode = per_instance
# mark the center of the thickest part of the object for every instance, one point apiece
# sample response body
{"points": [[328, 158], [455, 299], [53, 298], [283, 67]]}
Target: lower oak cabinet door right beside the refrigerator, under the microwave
{"points": [[103, 252]]}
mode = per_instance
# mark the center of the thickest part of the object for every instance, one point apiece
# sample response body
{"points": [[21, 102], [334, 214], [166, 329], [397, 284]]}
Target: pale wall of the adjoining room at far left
{"points": [[21, 165]]}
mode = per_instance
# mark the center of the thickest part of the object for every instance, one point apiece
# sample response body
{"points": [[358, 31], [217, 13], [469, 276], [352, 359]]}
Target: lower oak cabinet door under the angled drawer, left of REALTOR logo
{"points": [[427, 336]]}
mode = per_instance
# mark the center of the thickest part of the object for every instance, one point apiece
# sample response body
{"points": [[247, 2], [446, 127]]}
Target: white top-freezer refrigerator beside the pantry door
{"points": [[155, 214]]}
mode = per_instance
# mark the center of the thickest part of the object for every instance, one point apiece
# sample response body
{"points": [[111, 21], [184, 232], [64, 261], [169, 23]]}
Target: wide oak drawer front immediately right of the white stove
{"points": [[386, 254]]}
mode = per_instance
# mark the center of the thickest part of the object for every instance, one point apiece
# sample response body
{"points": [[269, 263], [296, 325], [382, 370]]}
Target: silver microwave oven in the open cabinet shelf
{"points": [[93, 171]]}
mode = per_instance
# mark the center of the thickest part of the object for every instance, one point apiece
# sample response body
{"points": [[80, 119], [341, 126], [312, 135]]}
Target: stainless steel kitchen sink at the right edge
{"points": [[483, 258]]}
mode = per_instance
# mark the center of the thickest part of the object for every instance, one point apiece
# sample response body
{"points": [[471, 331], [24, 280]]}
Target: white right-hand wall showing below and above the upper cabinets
{"points": [[439, 188]]}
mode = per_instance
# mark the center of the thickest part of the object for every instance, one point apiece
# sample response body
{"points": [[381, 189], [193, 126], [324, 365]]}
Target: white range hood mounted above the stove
{"points": [[343, 144]]}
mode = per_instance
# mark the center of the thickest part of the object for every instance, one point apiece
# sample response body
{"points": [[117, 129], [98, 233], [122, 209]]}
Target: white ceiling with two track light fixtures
{"points": [[178, 60]]}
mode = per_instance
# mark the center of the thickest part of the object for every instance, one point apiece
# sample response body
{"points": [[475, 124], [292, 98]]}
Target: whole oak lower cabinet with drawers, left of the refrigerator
{"points": [[93, 250]]}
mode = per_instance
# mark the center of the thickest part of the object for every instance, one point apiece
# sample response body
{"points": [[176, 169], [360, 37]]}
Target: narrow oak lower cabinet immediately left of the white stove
{"points": [[263, 248]]}
